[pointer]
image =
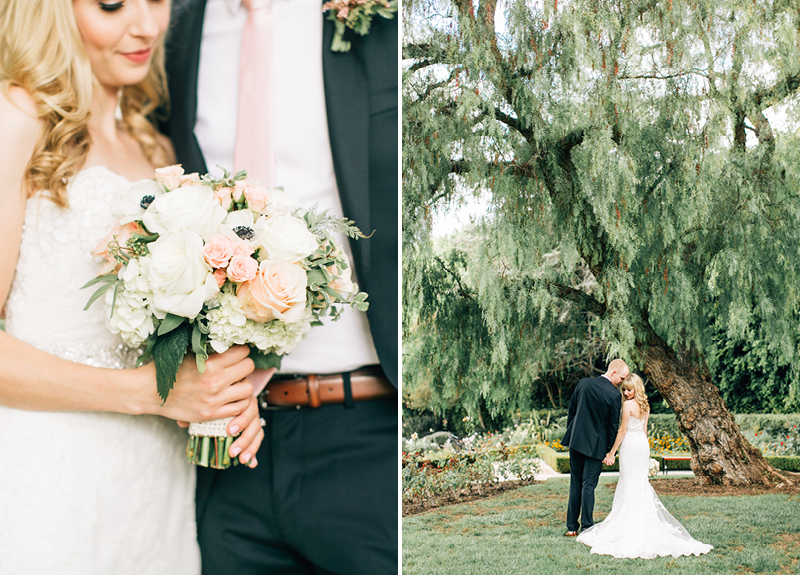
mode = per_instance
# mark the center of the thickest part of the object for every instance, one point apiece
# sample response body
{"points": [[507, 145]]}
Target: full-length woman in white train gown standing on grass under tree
{"points": [[638, 525]]}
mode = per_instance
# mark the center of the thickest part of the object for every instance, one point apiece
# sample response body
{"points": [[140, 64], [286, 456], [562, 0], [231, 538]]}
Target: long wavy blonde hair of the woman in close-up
{"points": [[41, 51]]}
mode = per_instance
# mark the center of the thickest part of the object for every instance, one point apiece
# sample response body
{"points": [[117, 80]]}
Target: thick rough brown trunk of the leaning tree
{"points": [[720, 454]]}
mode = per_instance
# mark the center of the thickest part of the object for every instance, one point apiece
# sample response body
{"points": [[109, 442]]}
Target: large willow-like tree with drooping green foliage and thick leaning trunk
{"points": [[650, 144]]}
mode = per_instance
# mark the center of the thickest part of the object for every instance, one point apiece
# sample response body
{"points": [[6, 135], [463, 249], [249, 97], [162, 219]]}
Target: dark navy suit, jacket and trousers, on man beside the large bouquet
{"points": [[324, 496]]}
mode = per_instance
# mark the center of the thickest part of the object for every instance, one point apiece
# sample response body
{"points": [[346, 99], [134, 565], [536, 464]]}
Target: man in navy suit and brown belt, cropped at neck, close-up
{"points": [[324, 496]]}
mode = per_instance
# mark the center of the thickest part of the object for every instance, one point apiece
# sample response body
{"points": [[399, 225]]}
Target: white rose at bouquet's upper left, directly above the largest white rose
{"points": [[191, 208]]}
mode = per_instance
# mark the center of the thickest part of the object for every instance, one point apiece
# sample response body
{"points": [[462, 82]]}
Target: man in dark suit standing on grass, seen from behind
{"points": [[592, 425]]}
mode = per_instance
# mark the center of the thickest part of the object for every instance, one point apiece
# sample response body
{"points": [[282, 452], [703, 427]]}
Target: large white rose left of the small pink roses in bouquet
{"points": [[179, 276]]}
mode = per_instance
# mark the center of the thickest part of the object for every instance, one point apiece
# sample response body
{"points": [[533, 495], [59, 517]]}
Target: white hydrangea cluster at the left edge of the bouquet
{"points": [[131, 317]]}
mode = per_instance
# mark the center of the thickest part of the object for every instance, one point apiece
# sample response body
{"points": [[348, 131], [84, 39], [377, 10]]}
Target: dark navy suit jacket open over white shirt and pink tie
{"points": [[361, 101]]}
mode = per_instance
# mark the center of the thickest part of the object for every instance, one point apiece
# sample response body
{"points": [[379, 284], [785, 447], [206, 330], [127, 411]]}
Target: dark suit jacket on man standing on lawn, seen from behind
{"points": [[593, 418]]}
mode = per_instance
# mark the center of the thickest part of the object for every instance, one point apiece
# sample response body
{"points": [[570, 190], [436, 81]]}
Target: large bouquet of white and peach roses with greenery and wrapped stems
{"points": [[203, 264]]}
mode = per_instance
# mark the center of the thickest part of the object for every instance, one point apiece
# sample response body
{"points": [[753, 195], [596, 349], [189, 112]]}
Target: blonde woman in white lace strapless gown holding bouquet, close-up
{"points": [[93, 478]]}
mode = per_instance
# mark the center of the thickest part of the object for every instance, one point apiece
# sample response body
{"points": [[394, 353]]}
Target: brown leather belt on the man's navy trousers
{"points": [[315, 390]]}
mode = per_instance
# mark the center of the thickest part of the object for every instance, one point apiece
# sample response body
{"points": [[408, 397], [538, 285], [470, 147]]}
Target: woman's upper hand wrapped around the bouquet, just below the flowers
{"points": [[222, 390]]}
